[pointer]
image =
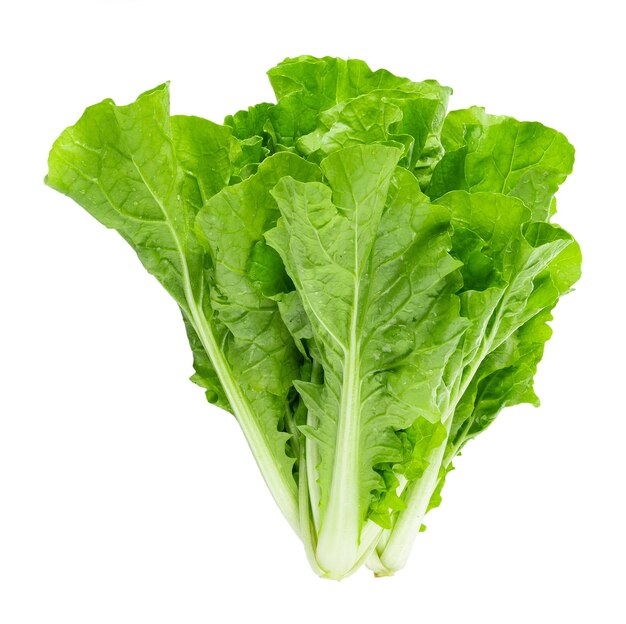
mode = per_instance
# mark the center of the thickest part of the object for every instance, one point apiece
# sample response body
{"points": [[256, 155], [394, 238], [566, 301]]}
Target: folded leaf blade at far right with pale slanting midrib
{"points": [[533, 264]]}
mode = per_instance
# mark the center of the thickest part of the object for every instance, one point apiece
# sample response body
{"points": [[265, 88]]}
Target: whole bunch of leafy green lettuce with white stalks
{"points": [[365, 282]]}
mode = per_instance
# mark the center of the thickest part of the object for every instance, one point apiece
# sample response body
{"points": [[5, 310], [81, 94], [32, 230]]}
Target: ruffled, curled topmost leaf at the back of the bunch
{"points": [[339, 103]]}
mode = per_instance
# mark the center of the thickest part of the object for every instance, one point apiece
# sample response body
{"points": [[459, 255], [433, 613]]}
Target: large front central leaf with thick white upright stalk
{"points": [[368, 256]]}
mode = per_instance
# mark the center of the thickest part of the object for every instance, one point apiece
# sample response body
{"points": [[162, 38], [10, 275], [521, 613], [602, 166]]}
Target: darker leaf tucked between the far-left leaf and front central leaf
{"points": [[231, 226]]}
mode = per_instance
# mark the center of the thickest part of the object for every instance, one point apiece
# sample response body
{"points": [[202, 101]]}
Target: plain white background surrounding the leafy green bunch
{"points": [[126, 498]]}
